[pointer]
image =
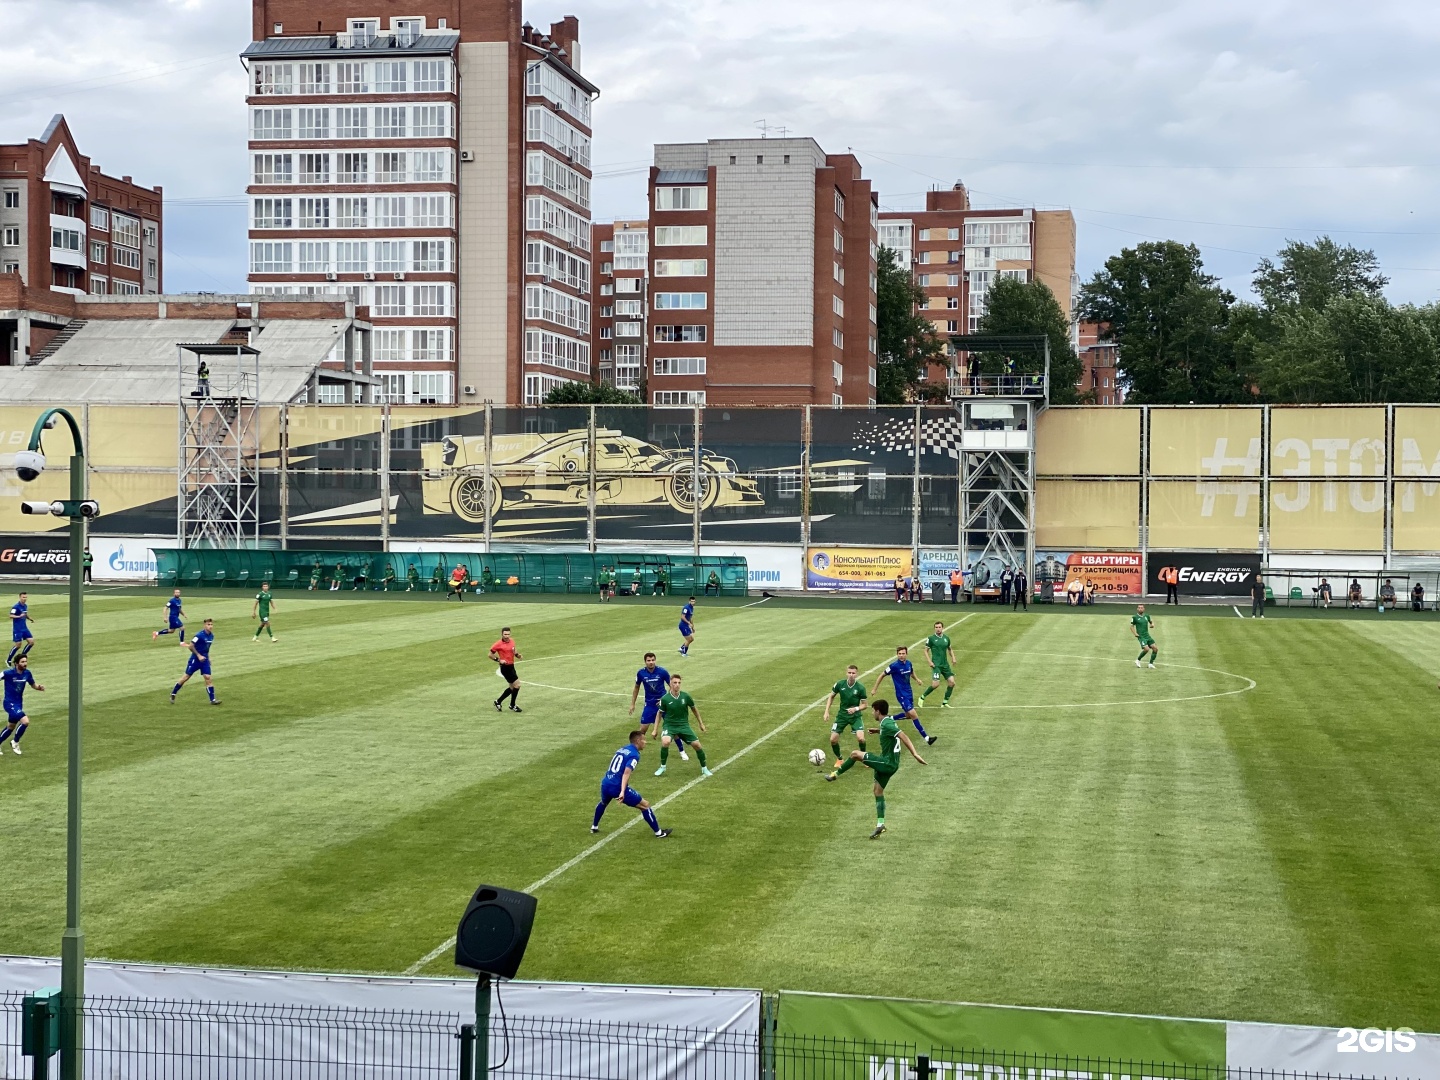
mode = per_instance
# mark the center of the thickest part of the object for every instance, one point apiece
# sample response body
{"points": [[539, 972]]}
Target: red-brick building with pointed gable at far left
{"points": [[68, 228]]}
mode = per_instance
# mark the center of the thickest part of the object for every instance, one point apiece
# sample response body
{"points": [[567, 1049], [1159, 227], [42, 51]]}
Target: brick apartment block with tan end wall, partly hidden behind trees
{"points": [[960, 253]]}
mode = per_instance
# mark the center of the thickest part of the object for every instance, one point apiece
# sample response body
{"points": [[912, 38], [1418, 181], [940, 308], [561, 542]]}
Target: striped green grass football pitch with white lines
{"points": [[1252, 832]]}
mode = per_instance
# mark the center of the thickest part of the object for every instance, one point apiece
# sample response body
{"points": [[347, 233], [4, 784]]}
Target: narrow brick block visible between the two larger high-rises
{"points": [[623, 260]]}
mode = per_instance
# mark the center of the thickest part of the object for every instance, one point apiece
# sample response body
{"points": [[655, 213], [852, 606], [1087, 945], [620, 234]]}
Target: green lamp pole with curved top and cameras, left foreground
{"points": [[30, 466]]}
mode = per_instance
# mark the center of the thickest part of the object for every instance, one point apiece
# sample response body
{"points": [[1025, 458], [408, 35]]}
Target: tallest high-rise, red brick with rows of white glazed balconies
{"points": [[437, 168]]}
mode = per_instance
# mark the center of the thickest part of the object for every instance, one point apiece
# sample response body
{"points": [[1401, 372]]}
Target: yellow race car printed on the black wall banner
{"points": [[532, 472]]}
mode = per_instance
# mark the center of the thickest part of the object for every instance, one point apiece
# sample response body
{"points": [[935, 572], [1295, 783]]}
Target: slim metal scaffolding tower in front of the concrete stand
{"points": [[220, 446]]}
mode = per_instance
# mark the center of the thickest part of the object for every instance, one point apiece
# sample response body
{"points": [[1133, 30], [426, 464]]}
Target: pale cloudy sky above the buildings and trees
{"points": [[1232, 125]]}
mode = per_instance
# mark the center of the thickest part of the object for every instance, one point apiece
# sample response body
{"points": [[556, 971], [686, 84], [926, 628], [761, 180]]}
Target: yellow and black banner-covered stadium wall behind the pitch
{"points": [[1327, 487]]}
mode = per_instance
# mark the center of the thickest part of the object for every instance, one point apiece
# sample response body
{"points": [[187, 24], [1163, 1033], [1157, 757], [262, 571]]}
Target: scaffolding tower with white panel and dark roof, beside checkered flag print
{"points": [[999, 413]]}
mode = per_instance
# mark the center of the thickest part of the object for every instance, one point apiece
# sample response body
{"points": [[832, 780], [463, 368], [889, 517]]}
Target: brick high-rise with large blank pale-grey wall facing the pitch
{"points": [[762, 276]]}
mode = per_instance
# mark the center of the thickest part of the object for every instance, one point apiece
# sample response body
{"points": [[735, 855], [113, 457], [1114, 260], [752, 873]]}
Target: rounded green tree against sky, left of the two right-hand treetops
{"points": [[1170, 322]]}
